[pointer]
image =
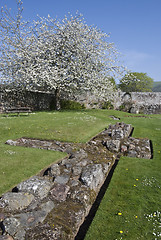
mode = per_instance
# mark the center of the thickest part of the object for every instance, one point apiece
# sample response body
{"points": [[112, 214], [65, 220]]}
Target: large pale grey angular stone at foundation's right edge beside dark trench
{"points": [[92, 176]]}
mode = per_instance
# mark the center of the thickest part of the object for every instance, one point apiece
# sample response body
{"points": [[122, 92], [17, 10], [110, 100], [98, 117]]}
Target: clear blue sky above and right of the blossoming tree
{"points": [[134, 26]]}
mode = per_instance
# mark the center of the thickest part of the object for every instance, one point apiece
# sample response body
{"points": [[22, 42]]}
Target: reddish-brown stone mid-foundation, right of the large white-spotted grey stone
{"points": [[59, 192]]}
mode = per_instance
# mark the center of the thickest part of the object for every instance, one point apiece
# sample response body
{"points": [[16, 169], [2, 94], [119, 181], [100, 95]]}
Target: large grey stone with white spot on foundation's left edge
{"points": [[36, 185]]}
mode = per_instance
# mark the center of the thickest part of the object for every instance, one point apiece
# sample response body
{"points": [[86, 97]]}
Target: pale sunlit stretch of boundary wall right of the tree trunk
{"points": [[135, 102]]}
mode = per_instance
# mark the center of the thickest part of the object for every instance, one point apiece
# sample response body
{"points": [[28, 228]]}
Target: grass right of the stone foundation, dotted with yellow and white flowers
{"points": [[134, 192]]}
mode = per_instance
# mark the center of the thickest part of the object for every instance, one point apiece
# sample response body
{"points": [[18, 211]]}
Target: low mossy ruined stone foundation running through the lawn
{"points": [[54, 204]]}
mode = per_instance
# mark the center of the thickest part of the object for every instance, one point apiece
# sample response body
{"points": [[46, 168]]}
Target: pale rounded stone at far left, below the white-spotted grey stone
{"points": [[17, 201]]}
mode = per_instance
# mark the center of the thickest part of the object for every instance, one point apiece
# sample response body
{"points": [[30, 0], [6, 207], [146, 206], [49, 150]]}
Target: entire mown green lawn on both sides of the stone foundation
{"points": [[131, 207]]}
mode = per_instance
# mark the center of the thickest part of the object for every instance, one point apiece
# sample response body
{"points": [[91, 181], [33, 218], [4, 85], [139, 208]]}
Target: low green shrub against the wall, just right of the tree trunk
{"points": [[71, 105]]}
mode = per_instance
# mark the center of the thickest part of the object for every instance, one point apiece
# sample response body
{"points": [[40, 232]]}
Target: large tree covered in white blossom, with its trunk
{"points": [[65, 56]]}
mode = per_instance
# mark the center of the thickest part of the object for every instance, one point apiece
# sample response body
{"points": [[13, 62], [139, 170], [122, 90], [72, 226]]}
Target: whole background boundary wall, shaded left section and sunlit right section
{"points": [[135, 102]]}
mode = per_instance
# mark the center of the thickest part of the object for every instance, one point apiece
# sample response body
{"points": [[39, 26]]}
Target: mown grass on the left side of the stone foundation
{"points": [[17, 163]]}
